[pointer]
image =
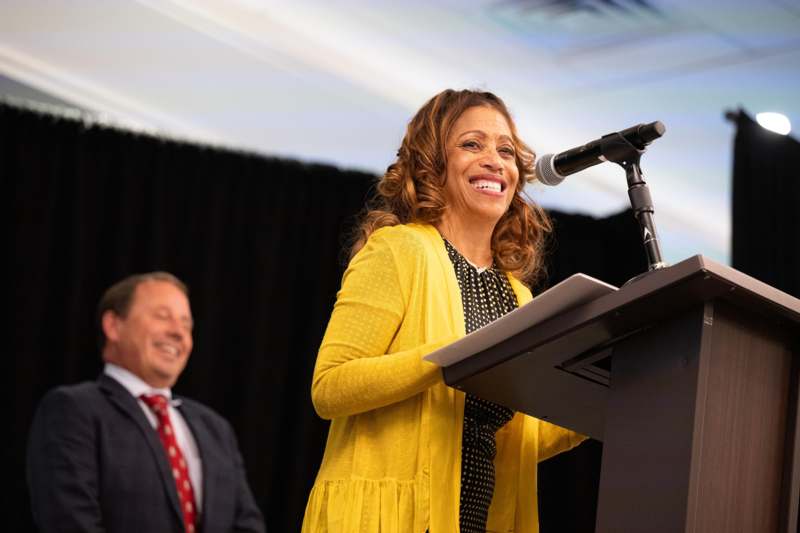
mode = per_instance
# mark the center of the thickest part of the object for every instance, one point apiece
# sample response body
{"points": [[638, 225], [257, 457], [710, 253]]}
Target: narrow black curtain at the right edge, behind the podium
{"points": [[766, 201]]}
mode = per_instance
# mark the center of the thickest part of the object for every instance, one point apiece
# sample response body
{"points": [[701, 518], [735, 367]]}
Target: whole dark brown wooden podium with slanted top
{"points": [[689, 376]]}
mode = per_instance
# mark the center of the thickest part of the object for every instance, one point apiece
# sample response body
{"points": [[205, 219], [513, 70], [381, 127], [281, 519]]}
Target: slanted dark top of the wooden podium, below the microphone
{"points": [[559, 360]]}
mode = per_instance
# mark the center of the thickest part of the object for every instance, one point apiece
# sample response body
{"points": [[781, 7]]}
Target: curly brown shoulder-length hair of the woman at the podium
{"points": [[412, 188]]}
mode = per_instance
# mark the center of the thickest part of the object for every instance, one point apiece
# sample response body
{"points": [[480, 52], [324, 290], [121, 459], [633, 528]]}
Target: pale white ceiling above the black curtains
{"points": [[337, 81]]}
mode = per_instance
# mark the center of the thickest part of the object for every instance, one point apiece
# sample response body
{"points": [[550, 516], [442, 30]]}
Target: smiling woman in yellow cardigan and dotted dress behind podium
{"points": [[441, 251]]}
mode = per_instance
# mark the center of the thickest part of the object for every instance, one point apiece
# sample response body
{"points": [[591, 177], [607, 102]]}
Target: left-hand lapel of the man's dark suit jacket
{"points": [[125, 402]]}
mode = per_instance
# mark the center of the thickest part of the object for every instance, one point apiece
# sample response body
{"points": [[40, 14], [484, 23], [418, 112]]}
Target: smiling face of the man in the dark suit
{"points": [[154, 339]]}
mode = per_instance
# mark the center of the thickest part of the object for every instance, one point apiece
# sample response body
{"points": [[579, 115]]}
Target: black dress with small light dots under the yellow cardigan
{"points": [[486, 295]]}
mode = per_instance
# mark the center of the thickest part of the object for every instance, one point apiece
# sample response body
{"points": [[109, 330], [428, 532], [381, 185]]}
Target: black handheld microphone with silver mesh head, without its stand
{"points": [[552, 169]]}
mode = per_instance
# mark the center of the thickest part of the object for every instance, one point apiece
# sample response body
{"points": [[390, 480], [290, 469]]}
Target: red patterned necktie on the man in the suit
{"points": [[158, 404]]}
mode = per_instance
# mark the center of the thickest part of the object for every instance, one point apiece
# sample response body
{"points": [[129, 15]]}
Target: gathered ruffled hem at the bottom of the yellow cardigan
{"points": [[367, 506]]}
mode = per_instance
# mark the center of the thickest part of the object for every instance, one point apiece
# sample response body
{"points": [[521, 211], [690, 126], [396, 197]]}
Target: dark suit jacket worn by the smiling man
{"points": [[95, 464]]}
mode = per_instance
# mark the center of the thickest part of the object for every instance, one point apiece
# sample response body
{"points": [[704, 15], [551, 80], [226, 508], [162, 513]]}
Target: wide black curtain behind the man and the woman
{"points": [[258, 240]]}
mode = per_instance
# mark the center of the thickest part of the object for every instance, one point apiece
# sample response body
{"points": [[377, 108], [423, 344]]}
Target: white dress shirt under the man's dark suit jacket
{"points": [[183, 434]]}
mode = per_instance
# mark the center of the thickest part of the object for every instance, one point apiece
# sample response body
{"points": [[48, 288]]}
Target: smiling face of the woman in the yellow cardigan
{"points": [[481, 173]]}
